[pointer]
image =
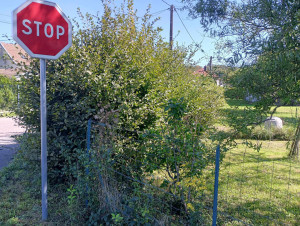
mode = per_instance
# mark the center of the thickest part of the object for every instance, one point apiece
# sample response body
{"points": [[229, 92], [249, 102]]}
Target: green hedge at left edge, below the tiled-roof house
{"points": [[8, 93]]}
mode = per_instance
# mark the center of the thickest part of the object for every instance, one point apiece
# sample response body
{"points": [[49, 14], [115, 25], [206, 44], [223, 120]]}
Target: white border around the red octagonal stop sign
{"points": [[21, 43]]}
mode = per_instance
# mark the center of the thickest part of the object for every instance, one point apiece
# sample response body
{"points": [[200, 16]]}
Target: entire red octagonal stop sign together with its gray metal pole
{"points": [[43, 31]]}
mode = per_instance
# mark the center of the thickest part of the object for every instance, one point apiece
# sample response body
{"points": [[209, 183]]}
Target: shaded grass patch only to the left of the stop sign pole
{"points": [[19, 195]]}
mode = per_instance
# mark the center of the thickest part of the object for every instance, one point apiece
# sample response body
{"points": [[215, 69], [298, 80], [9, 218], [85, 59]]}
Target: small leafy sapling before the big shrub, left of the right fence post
{"points": [[177, 150]]}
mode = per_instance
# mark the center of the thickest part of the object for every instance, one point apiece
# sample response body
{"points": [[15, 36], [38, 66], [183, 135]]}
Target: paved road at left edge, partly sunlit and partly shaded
{"points": [[8, 145]]}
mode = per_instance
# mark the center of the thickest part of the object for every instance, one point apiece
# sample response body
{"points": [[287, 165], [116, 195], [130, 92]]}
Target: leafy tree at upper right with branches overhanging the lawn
{"points": [[264, 35]]}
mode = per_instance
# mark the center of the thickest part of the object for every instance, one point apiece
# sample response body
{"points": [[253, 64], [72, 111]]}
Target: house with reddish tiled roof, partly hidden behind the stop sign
{"points": [[10, 56]]}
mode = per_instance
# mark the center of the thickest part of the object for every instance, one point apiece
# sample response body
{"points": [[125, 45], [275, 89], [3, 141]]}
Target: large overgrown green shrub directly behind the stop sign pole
{"points": [[120, 73]]}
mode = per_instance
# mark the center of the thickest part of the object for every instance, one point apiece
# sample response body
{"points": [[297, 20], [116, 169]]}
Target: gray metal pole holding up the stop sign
{"points": [[43, 138]]}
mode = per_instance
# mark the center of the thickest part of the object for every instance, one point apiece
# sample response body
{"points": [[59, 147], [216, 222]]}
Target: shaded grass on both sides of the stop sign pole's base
{"points": [[20, 194]]}
